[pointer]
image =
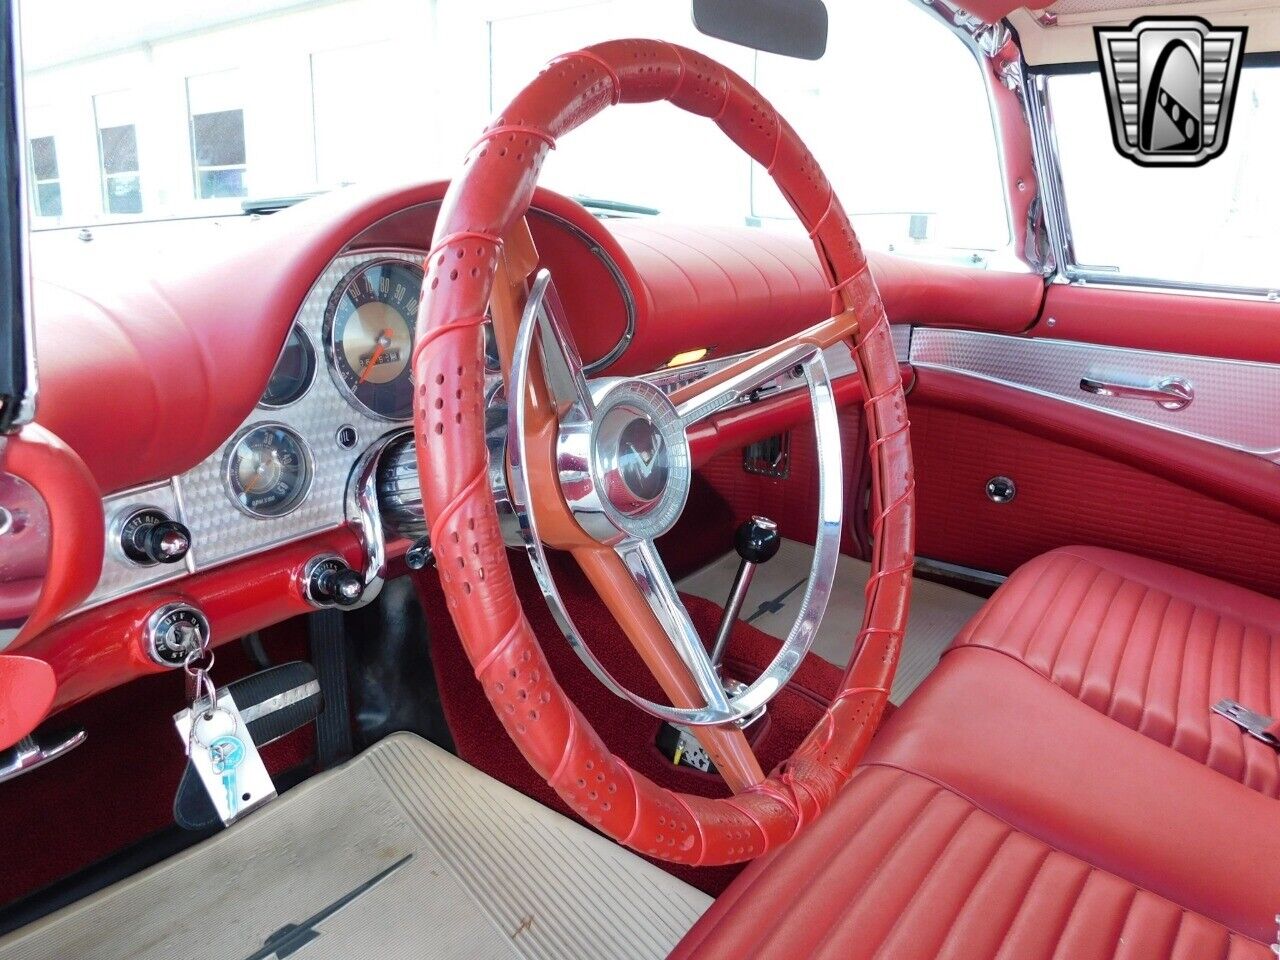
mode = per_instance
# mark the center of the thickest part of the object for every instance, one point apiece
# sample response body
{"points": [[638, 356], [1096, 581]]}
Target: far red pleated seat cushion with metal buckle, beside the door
{"points": [[1150, 646]]}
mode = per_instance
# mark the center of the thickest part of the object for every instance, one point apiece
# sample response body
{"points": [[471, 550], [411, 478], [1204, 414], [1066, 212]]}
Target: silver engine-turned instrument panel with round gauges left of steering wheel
{"points": [[285, 473]]}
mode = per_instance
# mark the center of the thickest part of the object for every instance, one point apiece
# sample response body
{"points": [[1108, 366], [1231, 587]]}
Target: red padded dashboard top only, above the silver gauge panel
{"points": [[147, 372]]}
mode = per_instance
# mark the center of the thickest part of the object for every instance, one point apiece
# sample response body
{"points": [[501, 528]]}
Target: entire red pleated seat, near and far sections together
{"points": [[1005, 813]]}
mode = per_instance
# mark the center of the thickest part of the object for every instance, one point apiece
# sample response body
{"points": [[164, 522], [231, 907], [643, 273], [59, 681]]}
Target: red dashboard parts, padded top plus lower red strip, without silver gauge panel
{"points": [[148, 369]]}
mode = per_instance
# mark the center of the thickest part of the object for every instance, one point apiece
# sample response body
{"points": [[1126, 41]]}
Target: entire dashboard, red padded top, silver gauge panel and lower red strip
{"points": [[248, 392]]}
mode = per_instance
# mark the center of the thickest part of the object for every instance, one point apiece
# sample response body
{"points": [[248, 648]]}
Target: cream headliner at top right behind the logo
{"points": [[1071, 39]]}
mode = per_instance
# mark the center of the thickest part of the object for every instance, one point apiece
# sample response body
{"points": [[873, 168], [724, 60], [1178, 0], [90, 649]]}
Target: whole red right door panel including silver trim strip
{"points": [[1197, 487]]}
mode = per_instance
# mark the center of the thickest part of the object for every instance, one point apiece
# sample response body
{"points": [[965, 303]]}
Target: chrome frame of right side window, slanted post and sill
{"points": [[1058, 222]]}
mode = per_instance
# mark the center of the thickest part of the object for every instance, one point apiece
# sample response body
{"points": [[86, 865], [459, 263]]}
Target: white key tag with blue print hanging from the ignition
{"points": [[225, 757]]}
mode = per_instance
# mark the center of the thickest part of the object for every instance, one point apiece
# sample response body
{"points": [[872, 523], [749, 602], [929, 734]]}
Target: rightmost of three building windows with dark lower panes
{"points": [[217, 136]]}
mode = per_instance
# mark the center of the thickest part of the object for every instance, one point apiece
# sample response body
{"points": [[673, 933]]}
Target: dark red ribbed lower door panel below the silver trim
{"points": [[1069, 496]]}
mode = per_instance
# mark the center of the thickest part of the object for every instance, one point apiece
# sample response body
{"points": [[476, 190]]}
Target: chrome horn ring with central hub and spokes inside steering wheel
{"points": [[623, 456]]}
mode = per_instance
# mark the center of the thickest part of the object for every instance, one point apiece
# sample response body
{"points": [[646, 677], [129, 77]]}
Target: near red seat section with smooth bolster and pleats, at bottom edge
{"points": [[996, 816]]}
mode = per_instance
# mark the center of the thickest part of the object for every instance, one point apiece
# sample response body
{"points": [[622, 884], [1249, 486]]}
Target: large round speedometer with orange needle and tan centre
{"points": [[369, 337]]}
